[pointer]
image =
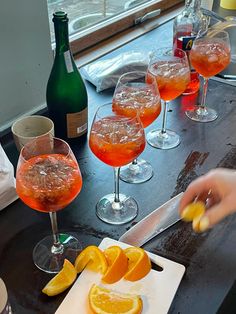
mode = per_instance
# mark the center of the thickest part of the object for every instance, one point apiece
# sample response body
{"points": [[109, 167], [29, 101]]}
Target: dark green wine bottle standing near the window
{"points": [[66, 94]]}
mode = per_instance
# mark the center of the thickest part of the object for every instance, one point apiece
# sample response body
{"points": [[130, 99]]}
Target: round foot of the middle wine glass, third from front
{"points": [[138, 172]]}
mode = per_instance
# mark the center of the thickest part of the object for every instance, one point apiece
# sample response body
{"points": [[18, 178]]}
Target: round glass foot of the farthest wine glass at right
{"points": [[200, 114]]}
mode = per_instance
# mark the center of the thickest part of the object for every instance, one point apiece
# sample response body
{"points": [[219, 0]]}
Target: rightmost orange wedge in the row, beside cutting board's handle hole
{"points": [[139, 263]]}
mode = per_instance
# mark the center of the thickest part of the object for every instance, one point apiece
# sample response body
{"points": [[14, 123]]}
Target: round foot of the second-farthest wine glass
{"points": [[160, 140]]}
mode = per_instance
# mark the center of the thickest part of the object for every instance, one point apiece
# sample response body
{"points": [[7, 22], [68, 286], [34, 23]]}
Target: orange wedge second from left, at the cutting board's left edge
{"points": [[92, 258]]}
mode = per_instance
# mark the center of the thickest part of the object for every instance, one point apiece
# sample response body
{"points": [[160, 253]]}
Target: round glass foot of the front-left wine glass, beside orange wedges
{"points": [[50, 259]]}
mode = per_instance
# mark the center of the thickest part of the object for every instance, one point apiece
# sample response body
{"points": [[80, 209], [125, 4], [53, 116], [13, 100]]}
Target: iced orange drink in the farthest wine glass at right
{"points": [[209, 57]]}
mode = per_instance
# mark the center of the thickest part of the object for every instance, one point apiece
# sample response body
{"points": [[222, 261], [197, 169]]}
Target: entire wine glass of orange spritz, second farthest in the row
{"points": [[171, 70]]}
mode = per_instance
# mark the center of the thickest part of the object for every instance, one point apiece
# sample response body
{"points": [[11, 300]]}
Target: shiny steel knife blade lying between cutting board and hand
{"points": [[156, 222]]}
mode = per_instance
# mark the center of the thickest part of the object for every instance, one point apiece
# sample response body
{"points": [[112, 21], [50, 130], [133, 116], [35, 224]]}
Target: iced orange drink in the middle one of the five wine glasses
{"points": [[128, 100]]}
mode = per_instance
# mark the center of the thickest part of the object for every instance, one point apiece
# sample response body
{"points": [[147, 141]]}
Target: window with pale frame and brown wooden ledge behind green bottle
{"points": [[91, 21]]}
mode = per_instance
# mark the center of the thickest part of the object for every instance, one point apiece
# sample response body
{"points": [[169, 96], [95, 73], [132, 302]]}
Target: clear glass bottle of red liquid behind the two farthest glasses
{"points": [[185, 28]]}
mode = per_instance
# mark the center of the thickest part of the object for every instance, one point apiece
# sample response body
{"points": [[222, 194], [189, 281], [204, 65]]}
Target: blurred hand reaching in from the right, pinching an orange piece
{"points": [[217, 189]]}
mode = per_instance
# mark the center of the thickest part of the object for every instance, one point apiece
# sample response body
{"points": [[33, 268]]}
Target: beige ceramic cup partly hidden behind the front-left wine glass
{"points": [[27, 128]]}
